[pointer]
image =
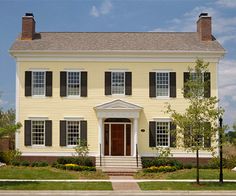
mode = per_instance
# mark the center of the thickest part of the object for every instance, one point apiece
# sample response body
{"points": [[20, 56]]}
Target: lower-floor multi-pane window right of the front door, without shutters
{"points": [[162, 129]]}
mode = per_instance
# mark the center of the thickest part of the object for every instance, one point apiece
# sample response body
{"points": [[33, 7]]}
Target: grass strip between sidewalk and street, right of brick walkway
{"points": [[186, 186]]}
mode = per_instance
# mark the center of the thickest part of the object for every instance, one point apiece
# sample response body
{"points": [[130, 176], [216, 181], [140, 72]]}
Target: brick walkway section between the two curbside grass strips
{"points": [[121, 185]]}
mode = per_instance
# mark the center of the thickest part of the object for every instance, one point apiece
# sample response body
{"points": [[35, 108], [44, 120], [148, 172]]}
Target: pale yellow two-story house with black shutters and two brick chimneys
{"points": [[109, 89]]}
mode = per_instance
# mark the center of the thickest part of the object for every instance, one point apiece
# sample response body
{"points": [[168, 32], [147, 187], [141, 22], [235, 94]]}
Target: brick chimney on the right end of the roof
{"points": [[204, 27]]}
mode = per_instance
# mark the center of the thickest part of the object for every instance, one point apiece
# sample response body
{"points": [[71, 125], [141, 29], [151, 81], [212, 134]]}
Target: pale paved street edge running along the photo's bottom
{"points": [[117, 193]]}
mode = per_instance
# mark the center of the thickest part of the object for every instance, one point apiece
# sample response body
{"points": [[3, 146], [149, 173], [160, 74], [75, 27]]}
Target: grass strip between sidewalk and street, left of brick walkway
{"points": [[55, 186]]}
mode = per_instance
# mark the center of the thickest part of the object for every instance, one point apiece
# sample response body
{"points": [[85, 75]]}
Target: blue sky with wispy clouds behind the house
{"points": [[121, 15]]}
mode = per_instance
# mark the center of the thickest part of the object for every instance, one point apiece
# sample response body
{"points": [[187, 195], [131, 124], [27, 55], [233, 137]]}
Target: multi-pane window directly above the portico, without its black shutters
{"points": [[118, 83]]}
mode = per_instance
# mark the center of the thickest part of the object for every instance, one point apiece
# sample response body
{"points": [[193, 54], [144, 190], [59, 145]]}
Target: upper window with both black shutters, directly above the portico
{"points": [[118, 83]]}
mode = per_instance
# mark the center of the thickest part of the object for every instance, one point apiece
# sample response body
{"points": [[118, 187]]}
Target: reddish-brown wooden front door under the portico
{"points": [[117, 139]]}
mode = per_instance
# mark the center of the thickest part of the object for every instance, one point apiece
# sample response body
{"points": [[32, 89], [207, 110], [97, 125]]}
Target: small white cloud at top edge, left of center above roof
{"points": [[103, 9]]}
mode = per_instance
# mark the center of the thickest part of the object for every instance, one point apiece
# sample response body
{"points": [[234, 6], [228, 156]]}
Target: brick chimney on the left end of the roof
{"points": [[28, 27]]}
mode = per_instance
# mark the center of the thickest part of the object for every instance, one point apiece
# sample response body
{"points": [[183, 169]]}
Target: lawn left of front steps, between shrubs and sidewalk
{"points": [[11, 172]]}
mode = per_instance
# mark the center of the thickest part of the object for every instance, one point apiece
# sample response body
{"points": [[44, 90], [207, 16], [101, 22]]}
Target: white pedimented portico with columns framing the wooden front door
{"points": [[118, 138]]}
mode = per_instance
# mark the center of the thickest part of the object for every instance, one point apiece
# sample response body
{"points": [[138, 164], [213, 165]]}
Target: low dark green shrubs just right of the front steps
{"points": [[161, 162]]}
